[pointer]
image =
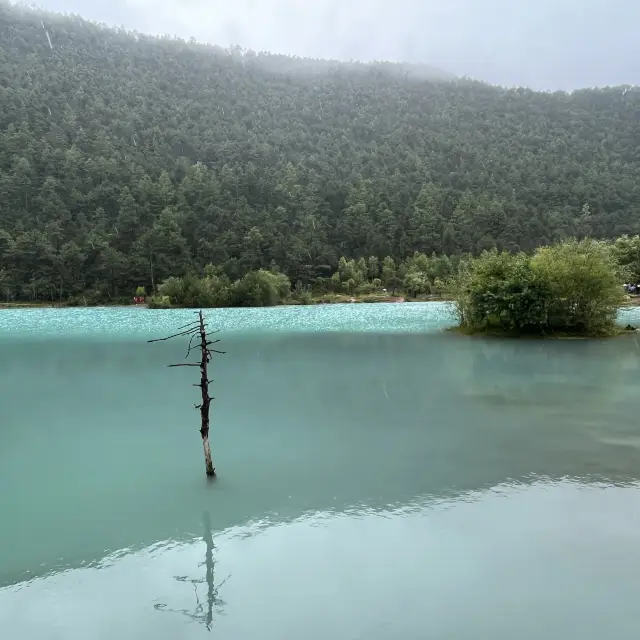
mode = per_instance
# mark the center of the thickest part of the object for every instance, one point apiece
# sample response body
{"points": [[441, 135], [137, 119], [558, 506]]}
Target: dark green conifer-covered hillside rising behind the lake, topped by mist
{"points": [[119, 151]]}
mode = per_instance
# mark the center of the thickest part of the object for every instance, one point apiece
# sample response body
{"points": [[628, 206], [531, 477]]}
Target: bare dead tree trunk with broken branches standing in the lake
{"points": [[198, 330]]}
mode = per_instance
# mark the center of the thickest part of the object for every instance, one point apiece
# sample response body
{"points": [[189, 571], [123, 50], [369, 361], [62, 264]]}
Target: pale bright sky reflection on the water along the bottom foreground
{"points": [[553, 558]]}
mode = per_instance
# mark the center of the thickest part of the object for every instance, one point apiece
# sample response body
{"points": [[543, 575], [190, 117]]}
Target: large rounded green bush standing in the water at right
{"points": [[571, 287]]}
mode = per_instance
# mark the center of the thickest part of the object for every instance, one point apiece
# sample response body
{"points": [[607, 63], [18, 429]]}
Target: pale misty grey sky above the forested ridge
{"points": [[543, 44]]}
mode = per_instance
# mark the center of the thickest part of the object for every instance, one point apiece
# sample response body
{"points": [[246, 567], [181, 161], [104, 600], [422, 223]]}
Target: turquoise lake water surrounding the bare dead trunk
{"points": [[379, 478]]}
